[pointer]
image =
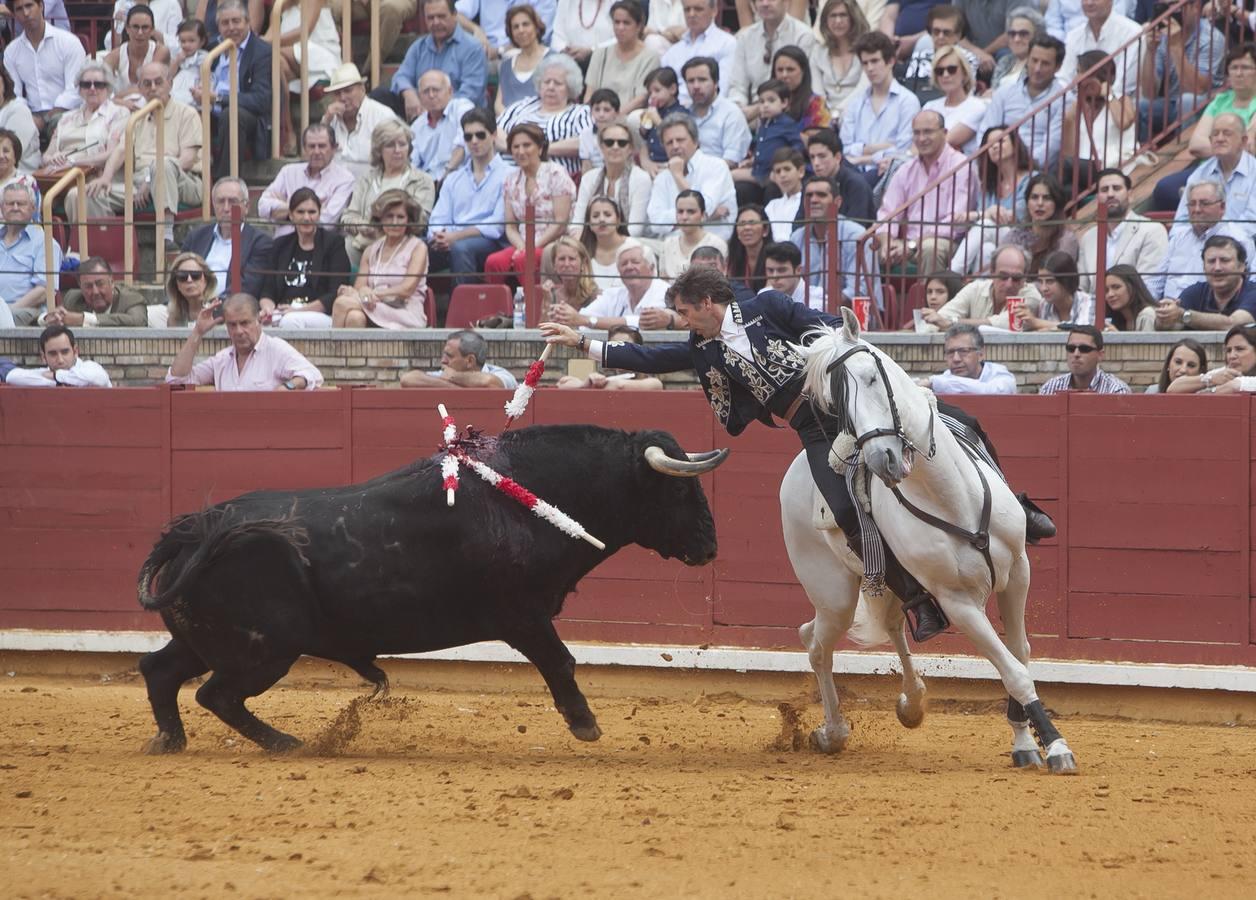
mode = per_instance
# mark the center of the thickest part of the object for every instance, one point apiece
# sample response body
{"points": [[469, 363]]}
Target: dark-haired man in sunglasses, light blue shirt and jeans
{"points": [[467, 224]]}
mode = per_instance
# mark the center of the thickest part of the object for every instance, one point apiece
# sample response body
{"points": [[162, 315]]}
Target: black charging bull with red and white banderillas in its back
{"points": [[350, 573]]}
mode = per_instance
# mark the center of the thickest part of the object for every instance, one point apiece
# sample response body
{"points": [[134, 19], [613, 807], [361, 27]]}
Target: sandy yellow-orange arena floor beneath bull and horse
{"points": [[485, 795]]}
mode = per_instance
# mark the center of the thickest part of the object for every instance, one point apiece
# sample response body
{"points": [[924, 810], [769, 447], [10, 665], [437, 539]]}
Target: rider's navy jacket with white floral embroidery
{"points": [[739, 390]]}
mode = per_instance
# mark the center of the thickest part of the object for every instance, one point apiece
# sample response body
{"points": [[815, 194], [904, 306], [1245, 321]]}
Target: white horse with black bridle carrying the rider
{"points": [[896, 427]]}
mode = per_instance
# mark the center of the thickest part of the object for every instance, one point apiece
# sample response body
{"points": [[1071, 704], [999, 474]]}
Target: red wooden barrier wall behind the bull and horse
{"points": [[1154, 498]]}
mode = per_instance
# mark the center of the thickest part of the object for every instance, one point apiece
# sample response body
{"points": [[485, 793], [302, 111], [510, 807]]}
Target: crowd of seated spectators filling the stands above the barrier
{"points": [[606, 147]]}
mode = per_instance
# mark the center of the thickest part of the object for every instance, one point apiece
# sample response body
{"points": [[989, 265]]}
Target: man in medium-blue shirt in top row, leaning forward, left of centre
{"points": [[447, 47]]}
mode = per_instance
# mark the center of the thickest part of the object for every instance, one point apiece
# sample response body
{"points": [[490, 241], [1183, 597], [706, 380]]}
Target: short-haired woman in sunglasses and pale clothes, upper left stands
{"points": [[89, 135]]}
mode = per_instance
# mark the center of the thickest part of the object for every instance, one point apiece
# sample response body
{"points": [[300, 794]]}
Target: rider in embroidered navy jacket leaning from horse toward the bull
{"points": [[743, 356]]}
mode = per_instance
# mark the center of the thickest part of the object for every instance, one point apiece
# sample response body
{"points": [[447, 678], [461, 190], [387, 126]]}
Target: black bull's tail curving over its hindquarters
{"points": [[198, 540]]}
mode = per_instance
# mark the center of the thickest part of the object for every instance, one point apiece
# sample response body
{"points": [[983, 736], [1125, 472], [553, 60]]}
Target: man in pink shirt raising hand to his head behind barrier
{"points": [[254, 362]]}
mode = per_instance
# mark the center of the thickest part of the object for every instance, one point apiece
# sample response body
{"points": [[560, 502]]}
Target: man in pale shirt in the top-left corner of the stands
{"points": [[42, 63]]}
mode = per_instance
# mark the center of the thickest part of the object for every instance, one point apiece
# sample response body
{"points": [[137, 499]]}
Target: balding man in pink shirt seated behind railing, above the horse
{"points": [[929, 235]]}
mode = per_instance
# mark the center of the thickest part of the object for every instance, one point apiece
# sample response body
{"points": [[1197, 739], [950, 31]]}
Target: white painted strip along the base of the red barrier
{"points": [[1237, 678]]}
